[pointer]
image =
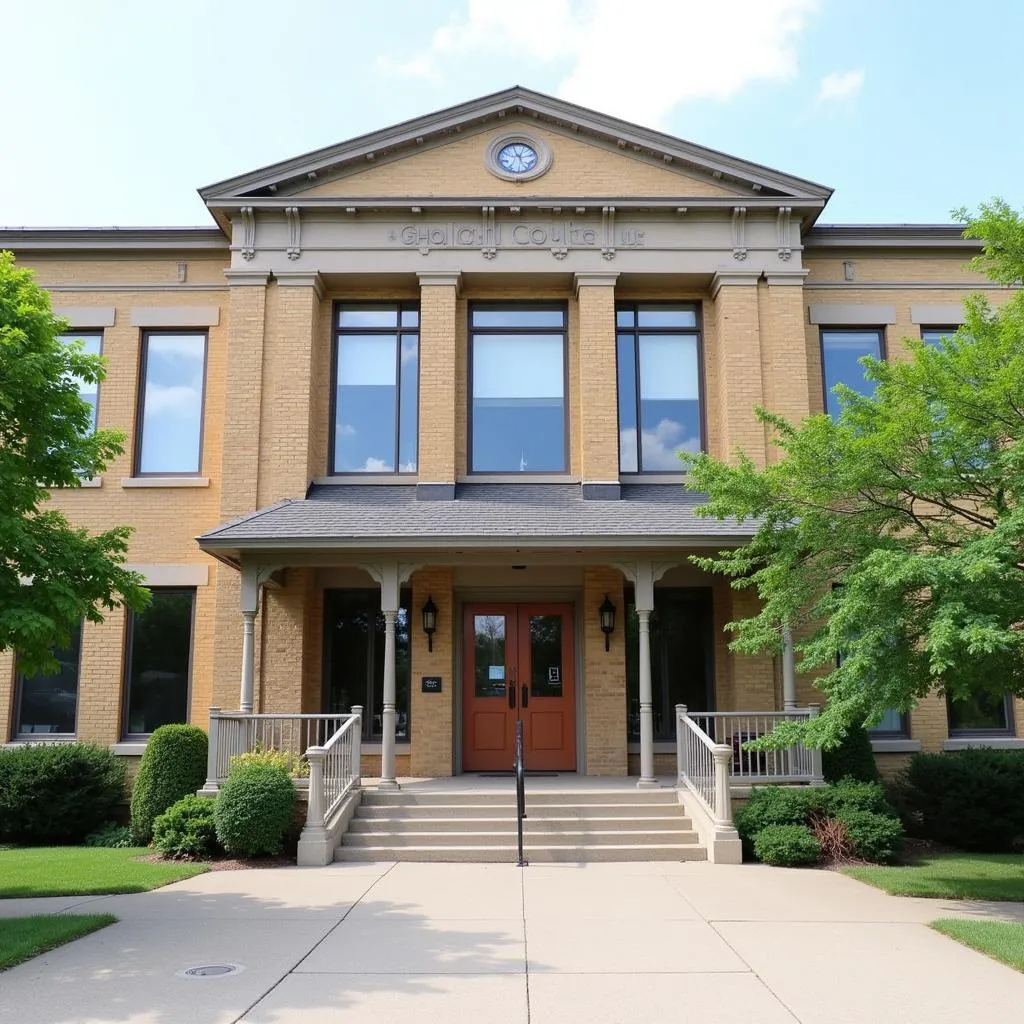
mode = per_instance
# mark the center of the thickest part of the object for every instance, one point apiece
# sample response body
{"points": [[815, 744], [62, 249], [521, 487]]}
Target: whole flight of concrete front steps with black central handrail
{"points": [[562, 826]]}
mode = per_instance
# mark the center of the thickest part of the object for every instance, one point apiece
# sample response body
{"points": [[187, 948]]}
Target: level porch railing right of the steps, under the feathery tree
{"points": [[735, 730]]}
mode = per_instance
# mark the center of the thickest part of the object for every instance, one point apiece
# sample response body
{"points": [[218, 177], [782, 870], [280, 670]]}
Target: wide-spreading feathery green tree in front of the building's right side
{"points": [[897, 535]]}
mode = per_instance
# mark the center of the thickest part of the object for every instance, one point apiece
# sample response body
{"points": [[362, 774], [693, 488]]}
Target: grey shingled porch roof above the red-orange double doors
{"points": [[481, 516]]}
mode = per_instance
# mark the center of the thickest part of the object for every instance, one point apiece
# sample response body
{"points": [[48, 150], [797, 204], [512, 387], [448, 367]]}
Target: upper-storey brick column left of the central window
{"points": [[439, 333]]}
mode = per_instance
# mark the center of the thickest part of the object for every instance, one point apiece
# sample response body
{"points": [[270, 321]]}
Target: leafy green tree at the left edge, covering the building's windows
{"points": [[52, 575]]}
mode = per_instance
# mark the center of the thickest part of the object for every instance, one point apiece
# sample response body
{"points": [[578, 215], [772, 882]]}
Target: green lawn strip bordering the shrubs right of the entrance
{"points": [[953, 876]]}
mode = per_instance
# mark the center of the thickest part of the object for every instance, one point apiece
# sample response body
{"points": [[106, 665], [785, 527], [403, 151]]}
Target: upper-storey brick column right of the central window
{"points": [[598, 395]]}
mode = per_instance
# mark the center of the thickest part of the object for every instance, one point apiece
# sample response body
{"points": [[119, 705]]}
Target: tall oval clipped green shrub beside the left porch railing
{"points": [[174, 766]]}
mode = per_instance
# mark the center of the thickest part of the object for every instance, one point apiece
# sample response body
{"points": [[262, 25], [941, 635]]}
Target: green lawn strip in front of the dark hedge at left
{"points": [[83, 871]]}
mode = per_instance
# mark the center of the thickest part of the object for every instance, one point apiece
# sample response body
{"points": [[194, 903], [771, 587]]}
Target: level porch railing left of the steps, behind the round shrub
{"points": [[234, 733]]}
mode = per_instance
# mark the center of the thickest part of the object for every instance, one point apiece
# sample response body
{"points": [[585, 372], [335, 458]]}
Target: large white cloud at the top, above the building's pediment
{"points": [[638, 61]]}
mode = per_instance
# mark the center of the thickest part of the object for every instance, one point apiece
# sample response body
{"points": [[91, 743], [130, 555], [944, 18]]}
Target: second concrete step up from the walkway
{"points": [[534, 824]]}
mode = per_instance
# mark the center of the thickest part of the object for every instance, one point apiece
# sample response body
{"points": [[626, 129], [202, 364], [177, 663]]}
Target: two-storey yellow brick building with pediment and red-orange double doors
{"points": [[404, 423]]}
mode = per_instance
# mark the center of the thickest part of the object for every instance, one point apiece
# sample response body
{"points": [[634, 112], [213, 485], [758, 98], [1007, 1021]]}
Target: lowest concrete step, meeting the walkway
{"points": [[536, 855]]}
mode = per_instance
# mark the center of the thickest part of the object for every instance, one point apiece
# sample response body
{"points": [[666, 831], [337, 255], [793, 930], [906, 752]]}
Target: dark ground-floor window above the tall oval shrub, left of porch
{"points": [[159, 662]]}
